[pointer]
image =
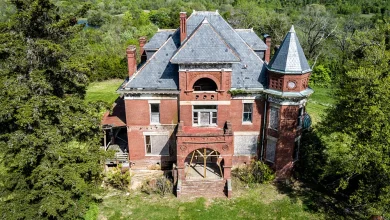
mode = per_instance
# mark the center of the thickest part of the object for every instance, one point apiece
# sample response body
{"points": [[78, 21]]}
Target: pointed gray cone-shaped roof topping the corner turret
{"points": [[290, 59]]}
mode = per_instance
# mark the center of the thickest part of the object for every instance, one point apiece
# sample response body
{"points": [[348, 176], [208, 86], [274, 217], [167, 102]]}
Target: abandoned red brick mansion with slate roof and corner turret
{"points": [[207, 97]]}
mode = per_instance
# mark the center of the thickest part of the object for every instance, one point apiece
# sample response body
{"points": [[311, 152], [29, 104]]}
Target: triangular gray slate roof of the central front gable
{"points": [[205, 46]]}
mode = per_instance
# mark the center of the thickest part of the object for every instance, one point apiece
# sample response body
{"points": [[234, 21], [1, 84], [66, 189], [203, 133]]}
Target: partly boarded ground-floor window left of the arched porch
{"points": [[157, 144]]}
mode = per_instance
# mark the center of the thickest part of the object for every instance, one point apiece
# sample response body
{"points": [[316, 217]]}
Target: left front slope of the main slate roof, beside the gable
{"points": [[158, 72]]}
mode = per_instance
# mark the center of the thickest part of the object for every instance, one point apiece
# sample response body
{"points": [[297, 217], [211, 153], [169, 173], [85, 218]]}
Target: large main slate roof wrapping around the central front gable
{"points": [[158, 73]]}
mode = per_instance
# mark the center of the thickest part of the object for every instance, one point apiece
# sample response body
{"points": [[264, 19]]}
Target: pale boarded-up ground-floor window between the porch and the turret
{"points": [[245, 144]]}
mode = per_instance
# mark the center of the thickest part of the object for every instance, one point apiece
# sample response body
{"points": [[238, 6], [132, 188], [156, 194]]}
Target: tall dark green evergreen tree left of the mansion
{"points": [[49, 137]]}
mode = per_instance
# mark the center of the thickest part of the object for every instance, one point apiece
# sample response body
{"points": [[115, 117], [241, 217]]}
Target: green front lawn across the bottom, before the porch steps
{"points": [[262, 202]]}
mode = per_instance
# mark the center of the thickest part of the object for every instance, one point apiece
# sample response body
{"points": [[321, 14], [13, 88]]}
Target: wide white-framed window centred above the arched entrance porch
{"points": [[204, 115]]}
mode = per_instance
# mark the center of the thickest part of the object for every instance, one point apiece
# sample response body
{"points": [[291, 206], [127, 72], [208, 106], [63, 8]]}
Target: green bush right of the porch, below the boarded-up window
{"points": [[255, 172]]}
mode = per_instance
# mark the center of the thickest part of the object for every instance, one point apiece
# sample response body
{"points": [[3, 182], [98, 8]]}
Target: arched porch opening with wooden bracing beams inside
{"points": [[204, 163]]}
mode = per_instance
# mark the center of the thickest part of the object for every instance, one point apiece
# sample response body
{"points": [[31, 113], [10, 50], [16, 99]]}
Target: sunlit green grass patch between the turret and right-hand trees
{"points": [[319, 102]]}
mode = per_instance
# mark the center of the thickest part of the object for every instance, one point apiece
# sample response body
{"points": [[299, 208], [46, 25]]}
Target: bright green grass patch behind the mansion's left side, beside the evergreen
{"points": [[103, 91]]}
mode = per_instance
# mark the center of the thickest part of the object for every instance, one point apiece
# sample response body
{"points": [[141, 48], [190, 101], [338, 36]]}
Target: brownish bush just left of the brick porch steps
{"points": [[161, 186]]}
